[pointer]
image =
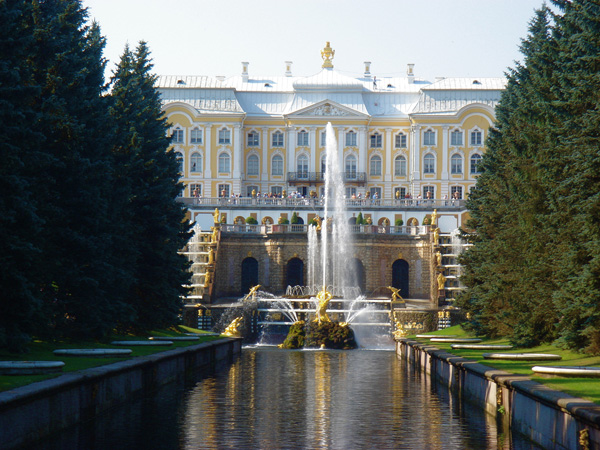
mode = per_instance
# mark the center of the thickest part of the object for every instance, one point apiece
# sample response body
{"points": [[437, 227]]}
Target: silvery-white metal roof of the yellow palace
{"points": [[397, 97]]}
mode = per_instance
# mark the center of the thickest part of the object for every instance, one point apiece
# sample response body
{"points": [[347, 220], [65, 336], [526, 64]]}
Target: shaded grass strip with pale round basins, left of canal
{"points": [[43, 351]]}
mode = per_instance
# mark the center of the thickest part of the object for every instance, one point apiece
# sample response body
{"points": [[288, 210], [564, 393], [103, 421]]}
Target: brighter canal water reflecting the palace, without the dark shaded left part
{"points": [[332, 400]]}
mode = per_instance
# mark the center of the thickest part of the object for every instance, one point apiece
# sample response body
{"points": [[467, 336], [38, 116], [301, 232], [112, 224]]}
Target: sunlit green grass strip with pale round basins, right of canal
{"points": [[586, 388]]}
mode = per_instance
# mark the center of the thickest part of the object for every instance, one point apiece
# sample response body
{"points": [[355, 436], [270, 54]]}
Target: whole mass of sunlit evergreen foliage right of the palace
{"points": [[533, 274]]}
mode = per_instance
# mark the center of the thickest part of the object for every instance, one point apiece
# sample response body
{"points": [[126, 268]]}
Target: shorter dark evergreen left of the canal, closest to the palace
{"points": [[149, 174]]}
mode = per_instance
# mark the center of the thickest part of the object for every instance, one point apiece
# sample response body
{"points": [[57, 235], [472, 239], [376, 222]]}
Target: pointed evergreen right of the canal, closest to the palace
{"points": [[509, 270]]}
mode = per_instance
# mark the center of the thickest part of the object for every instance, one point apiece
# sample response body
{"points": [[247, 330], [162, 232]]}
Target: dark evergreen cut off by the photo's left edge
{"points": [[20, 225]]}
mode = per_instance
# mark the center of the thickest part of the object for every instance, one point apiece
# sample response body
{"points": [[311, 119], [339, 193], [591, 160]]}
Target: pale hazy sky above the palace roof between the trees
{"points": [[443, 38]]}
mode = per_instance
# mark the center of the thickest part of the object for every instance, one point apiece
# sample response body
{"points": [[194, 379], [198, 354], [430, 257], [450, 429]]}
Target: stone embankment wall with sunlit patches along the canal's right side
{"points": [[550, 418]]}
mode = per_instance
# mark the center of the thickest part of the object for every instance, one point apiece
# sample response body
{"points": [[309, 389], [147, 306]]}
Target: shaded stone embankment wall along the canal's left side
{"points": [[29, 413]]}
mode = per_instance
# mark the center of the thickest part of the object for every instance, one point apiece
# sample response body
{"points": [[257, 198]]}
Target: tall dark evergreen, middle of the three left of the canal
{"points": [[75, 180]]}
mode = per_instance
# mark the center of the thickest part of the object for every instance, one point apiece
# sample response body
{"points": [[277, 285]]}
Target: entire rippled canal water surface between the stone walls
{"points": [[280, 399]]}
